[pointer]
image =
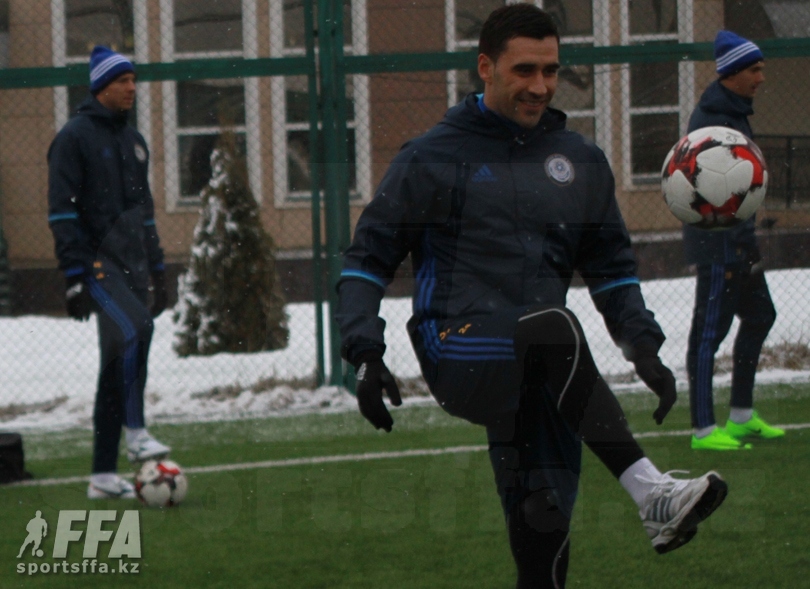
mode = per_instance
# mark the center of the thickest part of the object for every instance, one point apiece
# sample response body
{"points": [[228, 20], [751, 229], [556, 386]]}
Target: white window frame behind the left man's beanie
{"points": [[60, 59]]}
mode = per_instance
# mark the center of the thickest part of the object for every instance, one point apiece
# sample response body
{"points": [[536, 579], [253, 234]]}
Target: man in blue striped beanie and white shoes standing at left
{"points": [[101, 213]]}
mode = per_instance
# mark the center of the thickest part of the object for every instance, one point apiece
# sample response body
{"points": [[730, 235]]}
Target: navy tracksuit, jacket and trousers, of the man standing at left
{"points": [[101, 213]]}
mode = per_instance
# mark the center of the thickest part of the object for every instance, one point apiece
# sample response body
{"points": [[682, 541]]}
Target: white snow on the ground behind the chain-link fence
{"points": [[49, 365]]}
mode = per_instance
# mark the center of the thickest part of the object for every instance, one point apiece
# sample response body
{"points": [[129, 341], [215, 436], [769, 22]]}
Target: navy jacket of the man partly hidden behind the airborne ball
{"points": [[719, 106]]}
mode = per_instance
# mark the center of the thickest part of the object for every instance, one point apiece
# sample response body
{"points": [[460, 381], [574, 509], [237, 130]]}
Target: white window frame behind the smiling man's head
{"points": [[601, 112]]}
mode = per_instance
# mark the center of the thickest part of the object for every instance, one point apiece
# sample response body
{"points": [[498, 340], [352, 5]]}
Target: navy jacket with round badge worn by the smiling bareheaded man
{"points": [[493, 219]]}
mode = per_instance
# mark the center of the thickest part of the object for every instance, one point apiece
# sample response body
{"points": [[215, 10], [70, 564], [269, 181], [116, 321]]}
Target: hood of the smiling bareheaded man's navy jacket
{"points": [[468, 116]]}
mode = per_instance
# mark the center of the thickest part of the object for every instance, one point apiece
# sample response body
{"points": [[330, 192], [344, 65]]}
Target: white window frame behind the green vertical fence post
{"points": [[283, 198]]}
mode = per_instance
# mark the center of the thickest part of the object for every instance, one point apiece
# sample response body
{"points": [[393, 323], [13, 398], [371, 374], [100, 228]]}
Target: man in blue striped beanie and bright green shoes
{"points": [[730, 279]]}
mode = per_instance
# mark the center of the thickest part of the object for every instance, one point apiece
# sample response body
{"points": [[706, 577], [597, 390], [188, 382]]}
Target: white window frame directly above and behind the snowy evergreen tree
{"points": [[252, 127]]}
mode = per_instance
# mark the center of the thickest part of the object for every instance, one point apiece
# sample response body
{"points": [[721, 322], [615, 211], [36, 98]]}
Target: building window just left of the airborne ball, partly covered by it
{"points": [[657, 98]]}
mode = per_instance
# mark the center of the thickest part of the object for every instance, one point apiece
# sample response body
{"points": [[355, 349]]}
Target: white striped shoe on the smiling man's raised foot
{"points": [[673, 509]]}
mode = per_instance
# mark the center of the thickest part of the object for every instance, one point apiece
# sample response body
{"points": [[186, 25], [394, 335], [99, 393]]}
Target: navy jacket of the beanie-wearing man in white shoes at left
{"points": [[100, 207]]}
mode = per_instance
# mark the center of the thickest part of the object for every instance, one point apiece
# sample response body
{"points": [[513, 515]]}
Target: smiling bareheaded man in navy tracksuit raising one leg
{"points": [[497, 206]]}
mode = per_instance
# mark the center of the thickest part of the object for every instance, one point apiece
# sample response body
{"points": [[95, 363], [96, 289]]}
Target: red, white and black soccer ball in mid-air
{"points": [[714, 178]]}
